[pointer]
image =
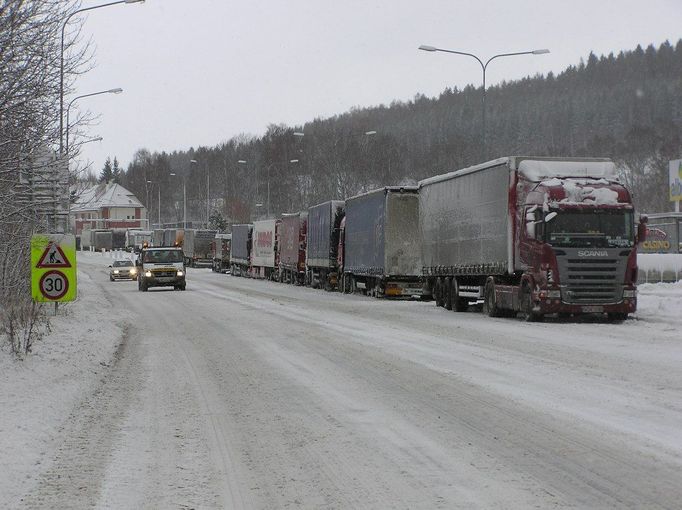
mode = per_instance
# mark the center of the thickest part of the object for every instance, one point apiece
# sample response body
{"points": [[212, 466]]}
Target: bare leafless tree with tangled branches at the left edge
{"points": [[30, 58]]}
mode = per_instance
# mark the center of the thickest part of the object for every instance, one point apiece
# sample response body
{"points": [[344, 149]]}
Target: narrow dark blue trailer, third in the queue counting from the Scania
{"points": [[324, 224]]}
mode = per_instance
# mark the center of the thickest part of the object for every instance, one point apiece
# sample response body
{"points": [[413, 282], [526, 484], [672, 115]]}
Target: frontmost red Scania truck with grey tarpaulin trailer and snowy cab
{"points": [[531, 235]]}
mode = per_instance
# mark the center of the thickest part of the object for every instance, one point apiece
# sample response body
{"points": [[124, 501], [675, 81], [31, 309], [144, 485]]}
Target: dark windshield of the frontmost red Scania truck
{"points": [[602, 229]]}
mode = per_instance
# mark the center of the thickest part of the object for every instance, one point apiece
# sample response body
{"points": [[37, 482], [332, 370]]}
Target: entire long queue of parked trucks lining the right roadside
{"points": [[526, 235]]}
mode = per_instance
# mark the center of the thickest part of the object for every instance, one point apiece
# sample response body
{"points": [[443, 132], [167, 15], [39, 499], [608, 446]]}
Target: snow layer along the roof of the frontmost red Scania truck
{"points": [[537, 168]]}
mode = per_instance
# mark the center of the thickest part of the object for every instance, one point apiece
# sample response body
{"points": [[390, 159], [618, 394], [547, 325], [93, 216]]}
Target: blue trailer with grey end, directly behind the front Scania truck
{"points": [[379, 250]]}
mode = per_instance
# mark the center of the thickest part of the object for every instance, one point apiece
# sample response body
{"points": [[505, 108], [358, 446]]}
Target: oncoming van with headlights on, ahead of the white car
{"points": [[161, 267]]}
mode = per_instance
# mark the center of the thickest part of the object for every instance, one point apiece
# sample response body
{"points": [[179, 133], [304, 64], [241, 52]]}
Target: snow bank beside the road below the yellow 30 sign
{"points": [[38, 394]]}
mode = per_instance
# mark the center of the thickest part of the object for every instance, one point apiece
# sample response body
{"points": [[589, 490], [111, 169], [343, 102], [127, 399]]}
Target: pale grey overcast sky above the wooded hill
{"points": [[198, 72]]}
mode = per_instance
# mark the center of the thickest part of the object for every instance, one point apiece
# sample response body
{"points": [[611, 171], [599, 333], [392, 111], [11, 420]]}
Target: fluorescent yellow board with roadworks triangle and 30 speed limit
{"points": [[53, 267]]}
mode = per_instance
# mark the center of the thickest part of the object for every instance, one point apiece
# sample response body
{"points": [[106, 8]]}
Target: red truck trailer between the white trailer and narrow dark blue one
{"points": [[292, 246]]}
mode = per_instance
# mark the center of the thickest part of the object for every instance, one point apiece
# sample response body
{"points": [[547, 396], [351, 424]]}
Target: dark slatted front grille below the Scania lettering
{"points": [[591, 280]]}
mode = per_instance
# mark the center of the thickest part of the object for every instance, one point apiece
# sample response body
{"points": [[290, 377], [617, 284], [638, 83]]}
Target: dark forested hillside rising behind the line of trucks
{"points": [[626, 106]]}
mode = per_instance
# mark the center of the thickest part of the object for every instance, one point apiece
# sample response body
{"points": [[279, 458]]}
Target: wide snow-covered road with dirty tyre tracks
{"points": [[249, 394]]}
